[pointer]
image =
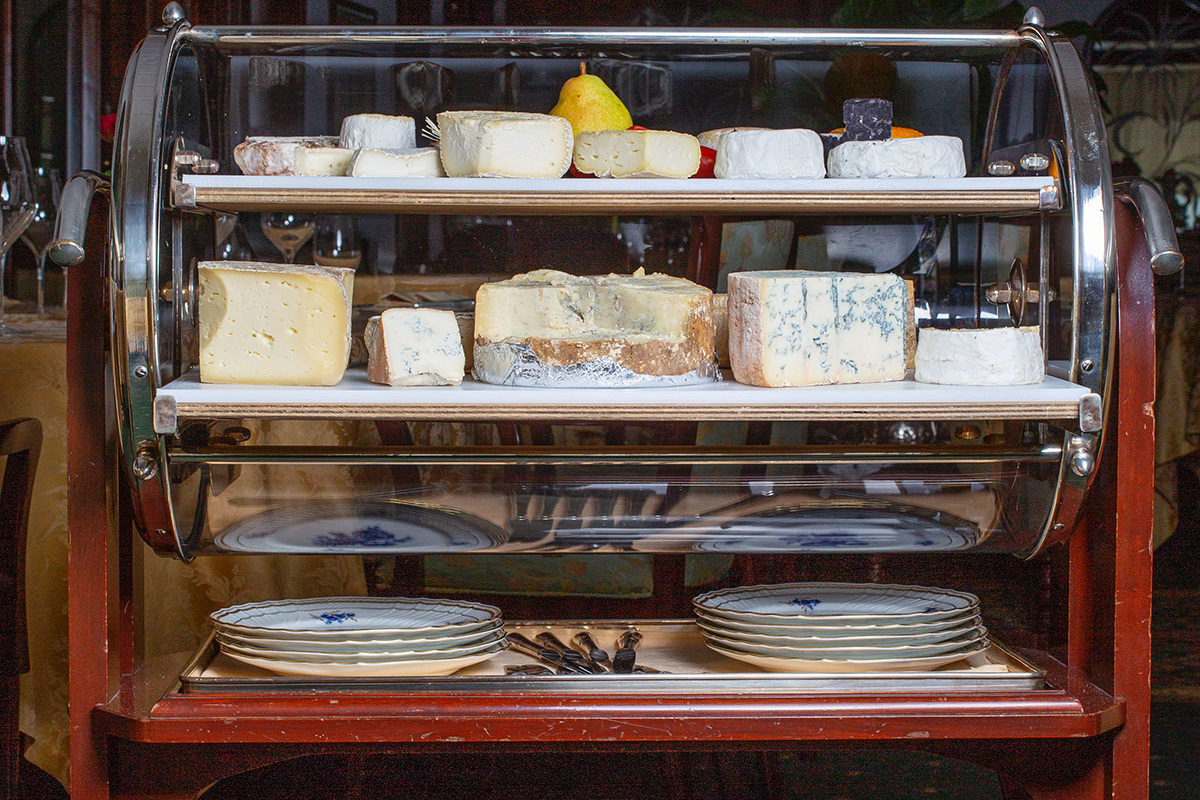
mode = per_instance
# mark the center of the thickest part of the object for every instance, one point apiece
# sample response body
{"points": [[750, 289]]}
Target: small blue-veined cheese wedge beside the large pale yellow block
{"points": [[415, 347]]}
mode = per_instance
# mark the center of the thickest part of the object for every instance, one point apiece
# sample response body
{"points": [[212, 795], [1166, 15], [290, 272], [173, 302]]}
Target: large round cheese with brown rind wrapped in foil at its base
{"points": [[553, 329]]}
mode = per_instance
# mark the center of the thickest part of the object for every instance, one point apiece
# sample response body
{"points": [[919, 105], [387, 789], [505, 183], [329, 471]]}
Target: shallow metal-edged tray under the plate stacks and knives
{"points": [[673, 646]]}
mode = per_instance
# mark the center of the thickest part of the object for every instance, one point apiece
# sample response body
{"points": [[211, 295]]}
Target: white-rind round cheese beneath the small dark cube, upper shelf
{"points": [[927, 157]]}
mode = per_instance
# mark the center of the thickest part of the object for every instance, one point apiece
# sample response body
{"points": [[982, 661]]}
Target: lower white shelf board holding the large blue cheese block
{"points": [[356, 398]]}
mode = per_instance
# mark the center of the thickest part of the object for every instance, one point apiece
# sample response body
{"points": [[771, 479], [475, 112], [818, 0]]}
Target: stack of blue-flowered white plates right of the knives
{"points": [[842, 628]]}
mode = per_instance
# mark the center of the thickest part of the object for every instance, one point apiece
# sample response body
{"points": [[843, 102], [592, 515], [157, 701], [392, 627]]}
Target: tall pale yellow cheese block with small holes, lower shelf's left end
{"points": [[277, 324]]}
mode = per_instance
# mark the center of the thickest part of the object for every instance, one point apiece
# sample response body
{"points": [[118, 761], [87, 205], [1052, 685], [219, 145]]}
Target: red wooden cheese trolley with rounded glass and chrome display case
{"points": [[850, 501]]}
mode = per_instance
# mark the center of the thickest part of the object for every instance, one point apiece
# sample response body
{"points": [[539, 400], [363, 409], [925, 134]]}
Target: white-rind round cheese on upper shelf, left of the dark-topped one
{"points": [[795, 153]]}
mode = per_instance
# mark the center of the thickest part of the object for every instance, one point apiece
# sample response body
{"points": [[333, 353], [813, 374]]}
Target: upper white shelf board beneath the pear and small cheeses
{"points": [[626, 196]]}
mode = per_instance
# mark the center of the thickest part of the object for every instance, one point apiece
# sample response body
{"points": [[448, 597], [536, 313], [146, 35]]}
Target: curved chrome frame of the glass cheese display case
{"points": [[142, 179]]}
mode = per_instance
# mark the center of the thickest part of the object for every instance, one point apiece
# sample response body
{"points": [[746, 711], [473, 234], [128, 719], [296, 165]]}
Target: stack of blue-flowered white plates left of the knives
{"points": [[365, 637]]}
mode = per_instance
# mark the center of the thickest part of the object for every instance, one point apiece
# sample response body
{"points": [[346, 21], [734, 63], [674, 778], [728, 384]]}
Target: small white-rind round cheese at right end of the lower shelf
{"points": [[998, 357]]}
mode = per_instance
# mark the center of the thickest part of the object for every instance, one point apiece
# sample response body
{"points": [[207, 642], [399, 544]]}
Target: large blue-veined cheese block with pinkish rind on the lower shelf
{"points": [[794, 328]]}
